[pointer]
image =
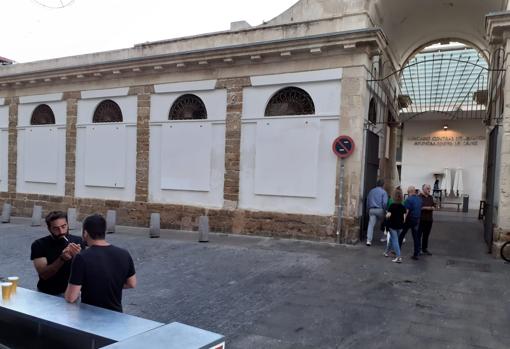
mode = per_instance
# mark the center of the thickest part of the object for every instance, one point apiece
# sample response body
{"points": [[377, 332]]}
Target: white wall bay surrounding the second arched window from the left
{"points": [[106, 152]]}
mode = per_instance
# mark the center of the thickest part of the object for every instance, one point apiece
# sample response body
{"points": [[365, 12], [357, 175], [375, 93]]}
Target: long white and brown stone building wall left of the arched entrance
{"points": [[145, 96]]}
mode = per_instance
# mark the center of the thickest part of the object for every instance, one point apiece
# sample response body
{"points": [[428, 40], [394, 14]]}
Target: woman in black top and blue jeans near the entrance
{"points": [[395, 219]]}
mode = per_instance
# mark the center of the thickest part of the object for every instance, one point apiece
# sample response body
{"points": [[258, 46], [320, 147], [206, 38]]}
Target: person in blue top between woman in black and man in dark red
{"points": [[413, 207]]}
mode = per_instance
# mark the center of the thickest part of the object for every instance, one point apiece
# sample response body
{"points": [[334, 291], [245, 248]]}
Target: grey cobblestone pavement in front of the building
{"points": [[270, 293]]}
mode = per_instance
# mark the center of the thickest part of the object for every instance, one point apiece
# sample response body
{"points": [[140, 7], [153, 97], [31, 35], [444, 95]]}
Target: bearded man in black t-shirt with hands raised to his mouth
{"points": [[52, 254]]}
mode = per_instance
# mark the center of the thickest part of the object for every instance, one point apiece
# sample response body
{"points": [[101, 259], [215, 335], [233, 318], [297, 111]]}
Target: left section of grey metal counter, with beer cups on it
{"points": [[100, 326]]}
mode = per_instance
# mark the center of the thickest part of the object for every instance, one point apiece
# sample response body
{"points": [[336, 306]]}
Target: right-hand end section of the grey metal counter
{"points": [[173, 336]]}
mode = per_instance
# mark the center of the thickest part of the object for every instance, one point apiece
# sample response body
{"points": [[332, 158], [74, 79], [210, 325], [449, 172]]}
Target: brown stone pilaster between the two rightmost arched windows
{"points": [[234, 89]]}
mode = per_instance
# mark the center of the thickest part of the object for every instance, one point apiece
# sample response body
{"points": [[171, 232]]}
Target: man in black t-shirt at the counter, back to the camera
{"points": [[101, 271]]}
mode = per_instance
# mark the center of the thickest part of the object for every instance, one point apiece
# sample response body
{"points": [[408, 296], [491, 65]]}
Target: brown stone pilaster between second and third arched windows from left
{"points": [[143, 94]]}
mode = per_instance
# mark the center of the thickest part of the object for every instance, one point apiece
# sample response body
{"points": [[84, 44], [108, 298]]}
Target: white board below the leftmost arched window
{"points": [[40, 160]]}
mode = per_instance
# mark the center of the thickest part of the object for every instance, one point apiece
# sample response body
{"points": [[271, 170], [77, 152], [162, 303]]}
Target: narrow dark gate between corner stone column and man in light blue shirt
{"points": [[371, 172]]}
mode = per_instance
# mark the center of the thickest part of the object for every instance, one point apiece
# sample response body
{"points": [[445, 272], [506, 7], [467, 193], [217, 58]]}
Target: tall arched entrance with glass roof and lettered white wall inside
{"points": [[444, 110]]}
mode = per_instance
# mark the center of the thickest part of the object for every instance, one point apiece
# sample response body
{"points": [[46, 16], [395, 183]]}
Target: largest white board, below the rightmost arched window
{"points": [[286, 157]]}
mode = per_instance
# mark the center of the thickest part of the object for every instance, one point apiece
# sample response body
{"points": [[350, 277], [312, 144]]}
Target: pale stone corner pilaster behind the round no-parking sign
{"points": [[354, 107]]}
